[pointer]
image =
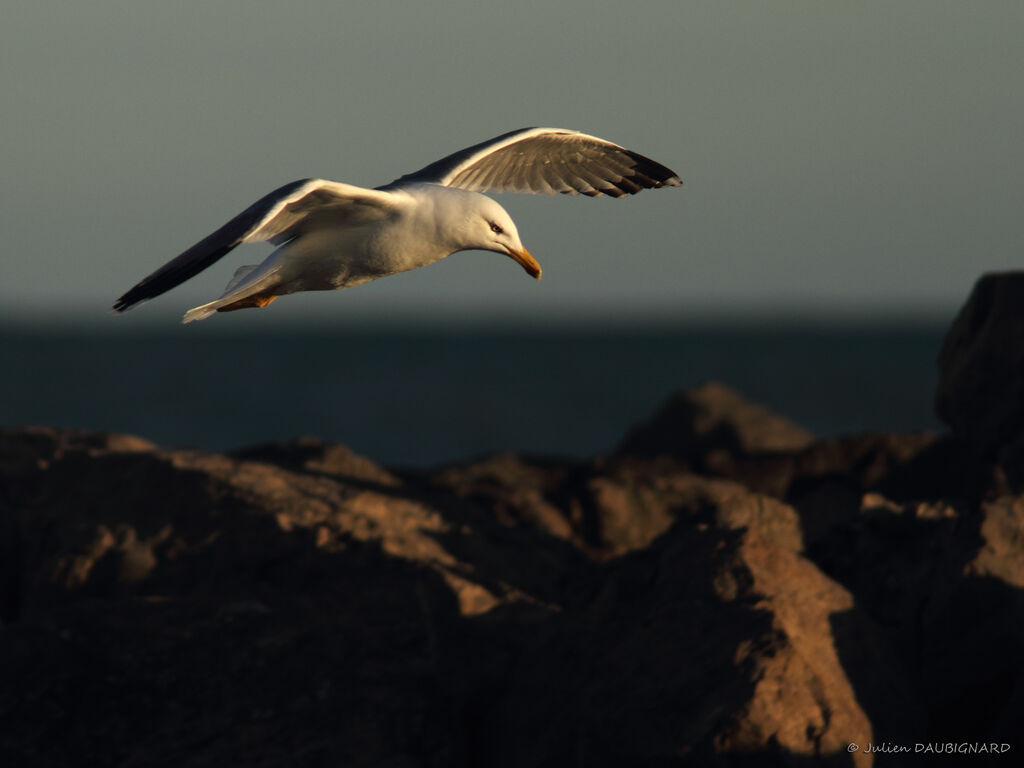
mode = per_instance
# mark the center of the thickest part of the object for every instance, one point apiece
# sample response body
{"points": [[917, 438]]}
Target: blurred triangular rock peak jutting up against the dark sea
{"points": [[713, 418]]}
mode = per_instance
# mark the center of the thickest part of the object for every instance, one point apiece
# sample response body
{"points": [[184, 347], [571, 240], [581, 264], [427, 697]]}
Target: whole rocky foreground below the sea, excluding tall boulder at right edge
{"points": [[769, 602]]}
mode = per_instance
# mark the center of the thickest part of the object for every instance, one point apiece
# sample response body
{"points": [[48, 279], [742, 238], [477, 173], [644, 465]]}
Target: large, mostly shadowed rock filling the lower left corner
{"points": [[172, 606]]}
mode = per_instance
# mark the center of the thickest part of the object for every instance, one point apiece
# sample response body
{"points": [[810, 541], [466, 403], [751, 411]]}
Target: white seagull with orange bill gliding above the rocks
{"points": [[332, 236]]}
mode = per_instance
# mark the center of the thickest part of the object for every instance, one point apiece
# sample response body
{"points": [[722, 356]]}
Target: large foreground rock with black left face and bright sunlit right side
{"points": [[713, 642]]}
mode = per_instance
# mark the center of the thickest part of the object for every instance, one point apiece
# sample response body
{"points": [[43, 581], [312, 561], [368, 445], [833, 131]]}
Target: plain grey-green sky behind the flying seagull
{"points": [[862, 156]]}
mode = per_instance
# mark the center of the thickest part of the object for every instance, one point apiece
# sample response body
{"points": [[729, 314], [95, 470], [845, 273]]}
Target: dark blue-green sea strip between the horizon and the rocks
{"points": [[425, 397]]}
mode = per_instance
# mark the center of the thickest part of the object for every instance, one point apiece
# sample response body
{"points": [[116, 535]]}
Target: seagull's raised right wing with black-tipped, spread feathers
{"points": [[546, 161]]}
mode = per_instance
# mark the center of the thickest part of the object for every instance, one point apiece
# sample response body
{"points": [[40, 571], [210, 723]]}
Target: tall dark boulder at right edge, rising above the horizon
{"points": [[982, 366]]}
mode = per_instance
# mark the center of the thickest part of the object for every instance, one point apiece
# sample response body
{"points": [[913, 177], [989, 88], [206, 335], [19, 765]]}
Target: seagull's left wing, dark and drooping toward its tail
{"points": [[285, 214]]}
